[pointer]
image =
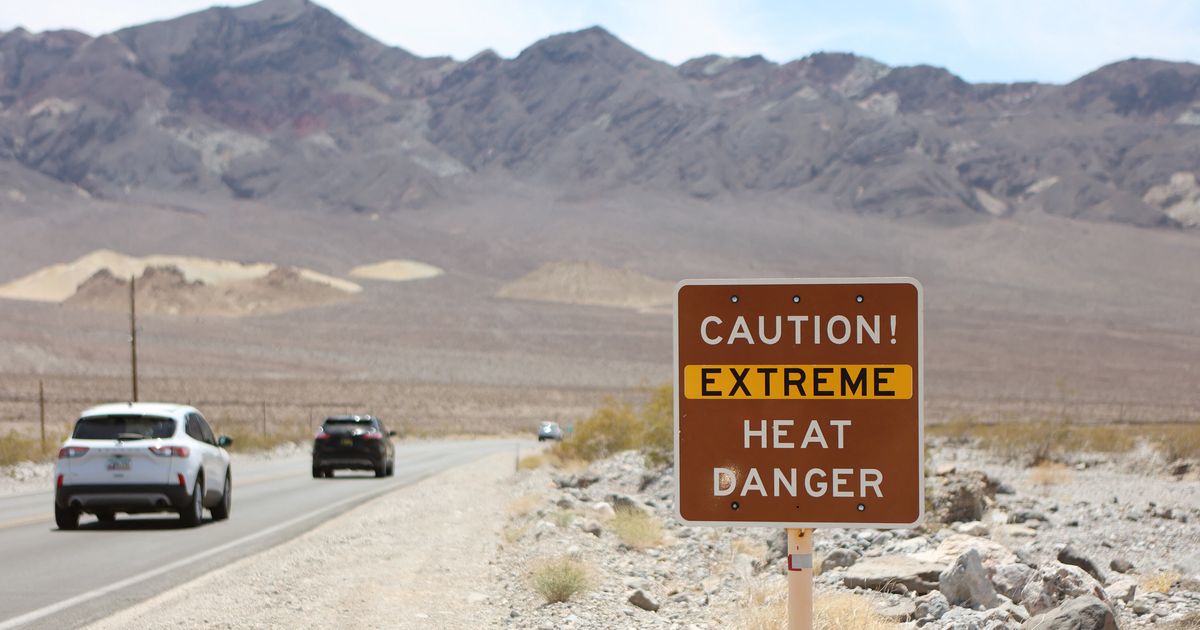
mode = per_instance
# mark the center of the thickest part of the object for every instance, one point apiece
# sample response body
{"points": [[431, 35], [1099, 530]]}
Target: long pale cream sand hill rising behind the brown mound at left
{"points": [[57, 284]]}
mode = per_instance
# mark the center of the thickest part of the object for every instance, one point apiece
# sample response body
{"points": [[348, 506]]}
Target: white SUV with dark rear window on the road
{"points": [[142, 458]]}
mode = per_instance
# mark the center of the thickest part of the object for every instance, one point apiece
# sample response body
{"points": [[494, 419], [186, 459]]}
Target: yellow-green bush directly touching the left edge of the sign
{"points": [[616, 427]]}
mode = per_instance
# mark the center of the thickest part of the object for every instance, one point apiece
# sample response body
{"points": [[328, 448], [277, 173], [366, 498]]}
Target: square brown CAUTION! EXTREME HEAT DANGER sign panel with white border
{"points": [[800, 403]]}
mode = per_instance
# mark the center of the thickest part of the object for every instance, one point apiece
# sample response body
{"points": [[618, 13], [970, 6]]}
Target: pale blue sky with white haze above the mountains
{"points": [[1052, 41]]}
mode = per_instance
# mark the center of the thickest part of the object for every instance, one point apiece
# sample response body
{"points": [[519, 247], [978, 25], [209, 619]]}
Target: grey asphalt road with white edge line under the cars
{"points": [[52, 579]]}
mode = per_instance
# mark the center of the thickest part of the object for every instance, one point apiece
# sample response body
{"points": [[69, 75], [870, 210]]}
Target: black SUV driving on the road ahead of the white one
{"points": [[353, 442]]}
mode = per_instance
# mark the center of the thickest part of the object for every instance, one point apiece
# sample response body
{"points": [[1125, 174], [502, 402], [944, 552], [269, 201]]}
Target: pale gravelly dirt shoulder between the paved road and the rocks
{"points": [[391, 563]]}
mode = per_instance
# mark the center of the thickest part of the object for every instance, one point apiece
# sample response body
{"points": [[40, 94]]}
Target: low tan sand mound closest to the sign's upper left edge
{"points": [[593, 285]]}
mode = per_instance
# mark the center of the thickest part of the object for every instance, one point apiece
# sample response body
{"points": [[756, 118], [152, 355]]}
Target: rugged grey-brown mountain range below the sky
{"points": [[284, 101]]}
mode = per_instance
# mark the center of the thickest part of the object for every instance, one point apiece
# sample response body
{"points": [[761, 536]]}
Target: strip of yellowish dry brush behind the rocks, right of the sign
{"points": [[1041, 442]]}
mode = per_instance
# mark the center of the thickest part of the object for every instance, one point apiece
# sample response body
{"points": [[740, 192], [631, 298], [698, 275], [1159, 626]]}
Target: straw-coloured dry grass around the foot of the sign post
{"points": [[766, 609]]}
